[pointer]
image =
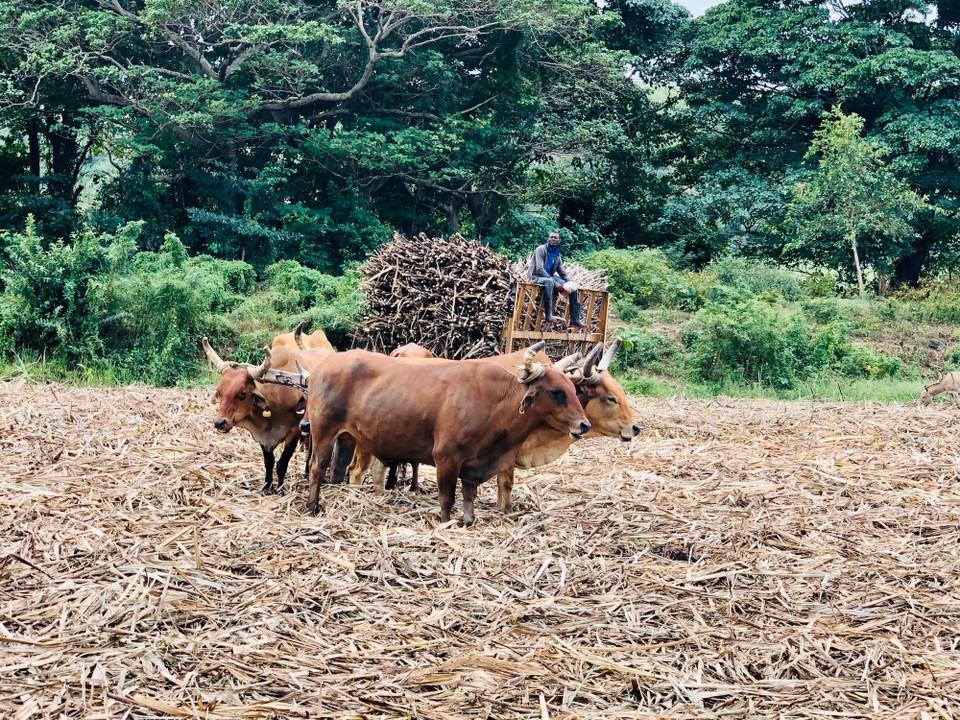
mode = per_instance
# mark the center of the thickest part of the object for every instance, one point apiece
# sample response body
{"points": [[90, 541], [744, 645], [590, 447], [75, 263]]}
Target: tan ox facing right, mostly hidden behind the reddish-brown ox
{"points": [[604, 402]]}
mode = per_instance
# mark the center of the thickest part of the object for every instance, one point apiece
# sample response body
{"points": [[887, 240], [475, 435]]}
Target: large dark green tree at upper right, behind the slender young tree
{"points": [[756, 77]]}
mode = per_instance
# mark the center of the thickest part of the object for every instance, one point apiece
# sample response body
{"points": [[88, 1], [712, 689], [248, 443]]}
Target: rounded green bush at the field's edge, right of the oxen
{"points": [[742, 343]]}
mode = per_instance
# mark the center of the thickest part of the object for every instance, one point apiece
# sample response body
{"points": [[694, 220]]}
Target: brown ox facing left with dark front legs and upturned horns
{"points": [[270, 413]]}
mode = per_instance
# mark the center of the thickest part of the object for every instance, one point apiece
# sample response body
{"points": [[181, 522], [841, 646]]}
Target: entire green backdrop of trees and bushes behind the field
{"points": [[773, 187]]}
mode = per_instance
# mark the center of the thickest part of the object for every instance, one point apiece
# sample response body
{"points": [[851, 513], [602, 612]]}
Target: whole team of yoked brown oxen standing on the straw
{"points": [[470, 419]]}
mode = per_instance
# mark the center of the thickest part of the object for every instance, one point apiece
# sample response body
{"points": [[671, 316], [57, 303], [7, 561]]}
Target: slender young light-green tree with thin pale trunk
{"points": [[852, 198]]}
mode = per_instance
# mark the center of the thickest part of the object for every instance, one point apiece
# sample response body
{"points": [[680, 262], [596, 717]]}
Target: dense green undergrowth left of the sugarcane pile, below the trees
{"points": [[103, 307]]}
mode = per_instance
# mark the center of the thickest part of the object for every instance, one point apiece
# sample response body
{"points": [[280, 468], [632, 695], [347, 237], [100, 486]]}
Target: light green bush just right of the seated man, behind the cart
{"points": [[643, 278]]}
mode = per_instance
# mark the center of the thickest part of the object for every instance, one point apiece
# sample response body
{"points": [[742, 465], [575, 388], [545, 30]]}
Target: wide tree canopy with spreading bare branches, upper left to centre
{"points": [[303, 127]]}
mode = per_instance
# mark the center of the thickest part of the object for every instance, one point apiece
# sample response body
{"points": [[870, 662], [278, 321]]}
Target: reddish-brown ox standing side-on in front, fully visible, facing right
{"points": [[468, 419]]}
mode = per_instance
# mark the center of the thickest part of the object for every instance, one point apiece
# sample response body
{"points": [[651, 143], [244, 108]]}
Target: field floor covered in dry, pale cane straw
{"points": [[739, 559]]}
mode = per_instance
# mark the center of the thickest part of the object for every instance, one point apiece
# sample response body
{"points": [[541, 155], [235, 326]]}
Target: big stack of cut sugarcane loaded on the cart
{"points": [[449, 295]]}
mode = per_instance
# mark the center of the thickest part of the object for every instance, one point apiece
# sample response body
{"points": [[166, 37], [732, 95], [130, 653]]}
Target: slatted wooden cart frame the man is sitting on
{"points": [[526, 326]]}
